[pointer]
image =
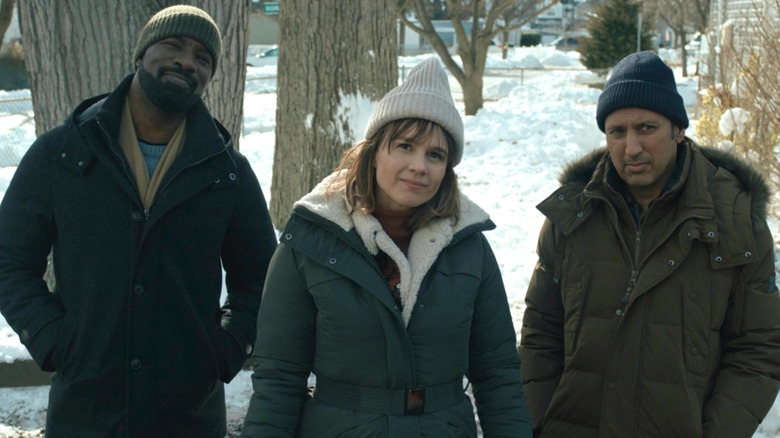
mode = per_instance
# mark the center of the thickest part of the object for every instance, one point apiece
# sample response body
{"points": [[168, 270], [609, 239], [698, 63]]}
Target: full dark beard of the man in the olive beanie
{"points": [[170, 98]]}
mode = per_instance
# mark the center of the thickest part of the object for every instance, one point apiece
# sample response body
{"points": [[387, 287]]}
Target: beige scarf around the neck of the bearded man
{"points": [[128, 141]]}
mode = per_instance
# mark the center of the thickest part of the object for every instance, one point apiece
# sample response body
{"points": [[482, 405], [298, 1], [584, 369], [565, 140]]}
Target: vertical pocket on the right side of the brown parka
{"points": [[696, 305]]}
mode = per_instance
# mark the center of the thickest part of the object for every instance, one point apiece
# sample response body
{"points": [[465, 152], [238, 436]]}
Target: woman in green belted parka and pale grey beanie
{"points": [[385, 289]]}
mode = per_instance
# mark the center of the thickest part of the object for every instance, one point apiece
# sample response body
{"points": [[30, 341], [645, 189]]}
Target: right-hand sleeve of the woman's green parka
{"points": [[494, 365]]}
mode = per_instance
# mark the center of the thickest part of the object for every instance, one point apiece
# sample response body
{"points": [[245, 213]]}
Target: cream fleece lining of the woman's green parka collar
{"points": [[426, 244]]}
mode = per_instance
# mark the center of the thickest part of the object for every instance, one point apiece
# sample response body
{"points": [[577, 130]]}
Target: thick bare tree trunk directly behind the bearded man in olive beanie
{"points": [[75, 49]]}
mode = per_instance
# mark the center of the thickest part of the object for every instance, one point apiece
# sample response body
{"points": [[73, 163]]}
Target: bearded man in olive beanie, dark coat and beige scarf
{"points": [[143, 201]]}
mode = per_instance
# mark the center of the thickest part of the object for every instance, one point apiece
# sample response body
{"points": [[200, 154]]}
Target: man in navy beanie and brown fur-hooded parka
{"points": [[653, 309]]}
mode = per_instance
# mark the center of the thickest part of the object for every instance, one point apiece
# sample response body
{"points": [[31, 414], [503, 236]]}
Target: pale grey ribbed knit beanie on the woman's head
{"points": [[424, 95]]}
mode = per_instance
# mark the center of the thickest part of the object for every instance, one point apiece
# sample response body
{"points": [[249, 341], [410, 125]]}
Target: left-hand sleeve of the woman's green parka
{"points": [[283, 352]]}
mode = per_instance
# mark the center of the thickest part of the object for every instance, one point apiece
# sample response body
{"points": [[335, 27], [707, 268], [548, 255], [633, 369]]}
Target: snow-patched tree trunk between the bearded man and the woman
{"points": [[333, 55]]}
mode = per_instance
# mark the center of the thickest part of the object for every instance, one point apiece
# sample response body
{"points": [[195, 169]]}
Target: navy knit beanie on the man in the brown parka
{"points": [[642, 80]]}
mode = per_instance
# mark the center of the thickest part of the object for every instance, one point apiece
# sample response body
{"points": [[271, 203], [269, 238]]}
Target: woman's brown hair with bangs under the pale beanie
{"points": [[359, 182]]}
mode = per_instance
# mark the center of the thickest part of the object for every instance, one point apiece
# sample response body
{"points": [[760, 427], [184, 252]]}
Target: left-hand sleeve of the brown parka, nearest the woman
{"points": [[541, 346]]}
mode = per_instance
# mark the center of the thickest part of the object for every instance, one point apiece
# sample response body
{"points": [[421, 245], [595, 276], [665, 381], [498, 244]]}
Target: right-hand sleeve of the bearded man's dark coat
{"points": [[247, 249]]}
